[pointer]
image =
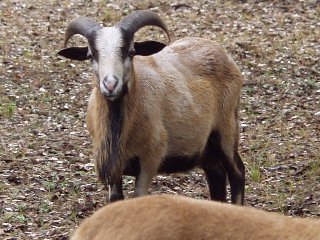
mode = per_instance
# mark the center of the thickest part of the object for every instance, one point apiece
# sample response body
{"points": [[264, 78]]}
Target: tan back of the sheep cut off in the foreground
{"points": [[181, 218]]}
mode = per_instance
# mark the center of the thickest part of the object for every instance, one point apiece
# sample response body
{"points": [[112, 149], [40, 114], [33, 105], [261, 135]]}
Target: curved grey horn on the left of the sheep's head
{"points": [[81, 25]]}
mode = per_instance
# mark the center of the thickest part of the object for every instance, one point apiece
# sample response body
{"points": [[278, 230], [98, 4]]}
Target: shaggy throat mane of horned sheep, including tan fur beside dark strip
{"points": [[118, 117]]}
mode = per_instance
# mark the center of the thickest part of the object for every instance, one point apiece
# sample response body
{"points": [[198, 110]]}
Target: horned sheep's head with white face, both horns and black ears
{"points": [[111, 49]]}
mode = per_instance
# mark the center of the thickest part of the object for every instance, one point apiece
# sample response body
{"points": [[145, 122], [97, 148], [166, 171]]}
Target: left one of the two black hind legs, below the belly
{"points": [[217, 181]]}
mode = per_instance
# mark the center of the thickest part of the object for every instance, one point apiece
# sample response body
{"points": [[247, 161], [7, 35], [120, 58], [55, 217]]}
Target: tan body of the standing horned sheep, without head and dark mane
{"points": [[178, 98]]}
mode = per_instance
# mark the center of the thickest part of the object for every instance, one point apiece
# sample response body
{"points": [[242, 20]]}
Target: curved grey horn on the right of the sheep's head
{"points": [[141, 18]]}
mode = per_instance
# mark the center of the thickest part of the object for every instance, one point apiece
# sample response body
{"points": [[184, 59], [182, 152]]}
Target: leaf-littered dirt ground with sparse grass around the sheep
{"points": [[47, 179]]}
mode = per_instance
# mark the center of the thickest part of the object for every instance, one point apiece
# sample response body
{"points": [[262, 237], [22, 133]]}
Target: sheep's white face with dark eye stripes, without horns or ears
{"points": [[112, 54]]}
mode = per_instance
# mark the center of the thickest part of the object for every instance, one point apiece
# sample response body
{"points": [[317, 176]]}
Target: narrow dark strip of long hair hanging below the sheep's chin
{"points": [[108, 159]]}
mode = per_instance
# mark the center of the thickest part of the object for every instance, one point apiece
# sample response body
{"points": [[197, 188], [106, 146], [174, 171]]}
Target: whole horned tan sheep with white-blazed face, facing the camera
{"points": [[158, 108]]}
